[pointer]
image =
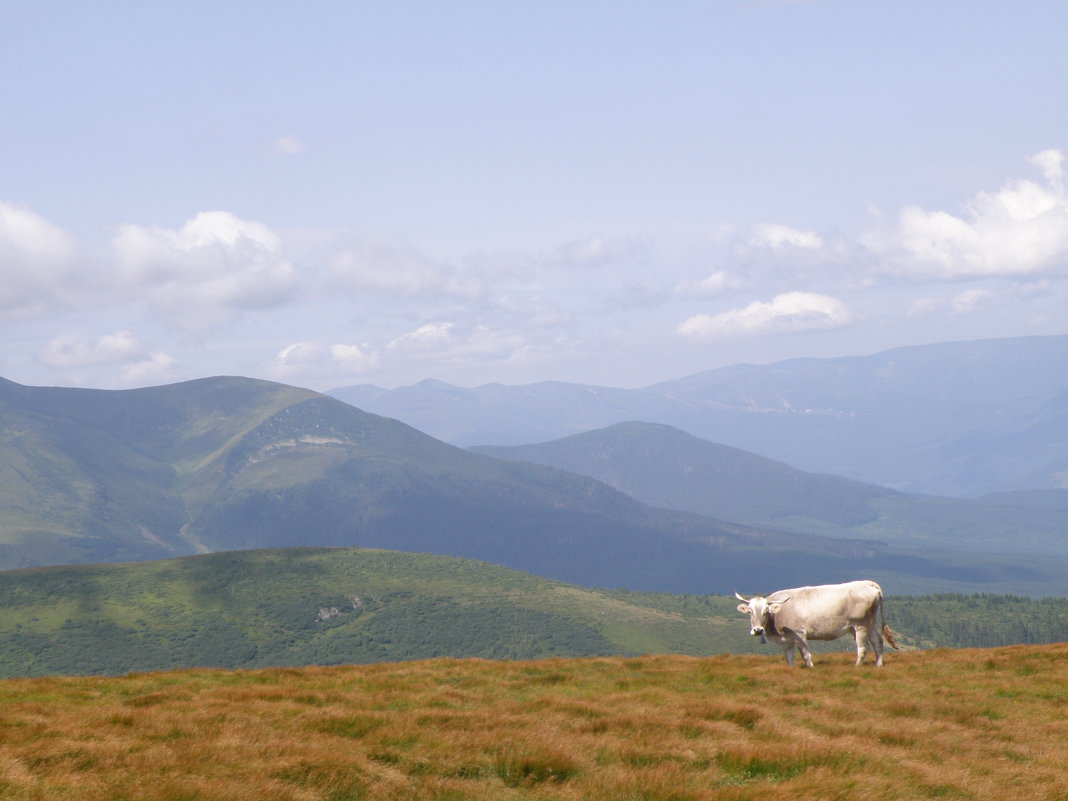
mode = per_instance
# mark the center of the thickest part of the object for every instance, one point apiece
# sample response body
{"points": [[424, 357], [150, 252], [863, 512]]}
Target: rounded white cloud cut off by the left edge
{"points": [[37, 260]]}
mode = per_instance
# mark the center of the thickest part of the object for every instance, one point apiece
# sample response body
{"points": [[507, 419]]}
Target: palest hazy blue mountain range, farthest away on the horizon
{"points": [[954, 419]]}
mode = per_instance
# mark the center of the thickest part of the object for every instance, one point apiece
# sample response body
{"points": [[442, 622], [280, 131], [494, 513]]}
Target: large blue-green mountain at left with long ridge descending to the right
{"points": [[232, 464]]}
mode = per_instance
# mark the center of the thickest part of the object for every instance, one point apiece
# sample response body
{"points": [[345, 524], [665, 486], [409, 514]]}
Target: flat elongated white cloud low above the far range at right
{"points": [[789, 313]]}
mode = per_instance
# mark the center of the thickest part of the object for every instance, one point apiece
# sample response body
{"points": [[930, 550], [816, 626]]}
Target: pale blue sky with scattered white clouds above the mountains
{"points": [[331, 194]]}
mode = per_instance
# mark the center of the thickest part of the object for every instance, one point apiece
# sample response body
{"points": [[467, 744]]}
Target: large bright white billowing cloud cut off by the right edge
{"points": [[1020, 230]]}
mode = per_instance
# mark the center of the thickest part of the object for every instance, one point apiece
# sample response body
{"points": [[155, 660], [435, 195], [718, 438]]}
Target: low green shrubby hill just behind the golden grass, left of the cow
{"points": [[302, 606]]}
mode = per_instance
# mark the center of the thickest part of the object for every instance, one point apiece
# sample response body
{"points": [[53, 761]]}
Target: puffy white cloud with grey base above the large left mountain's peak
{"points": [[202, 275]]}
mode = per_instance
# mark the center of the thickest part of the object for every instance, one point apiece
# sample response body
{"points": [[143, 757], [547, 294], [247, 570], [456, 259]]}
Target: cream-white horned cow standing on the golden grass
{"points": [[792, 618]]}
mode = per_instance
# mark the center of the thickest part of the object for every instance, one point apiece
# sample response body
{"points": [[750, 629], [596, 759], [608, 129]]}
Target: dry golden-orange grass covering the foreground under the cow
{"points": [[970, 725]]}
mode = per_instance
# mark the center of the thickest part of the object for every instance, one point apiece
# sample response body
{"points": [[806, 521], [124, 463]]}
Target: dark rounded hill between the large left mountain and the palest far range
{"points": [[669, 468]]}
